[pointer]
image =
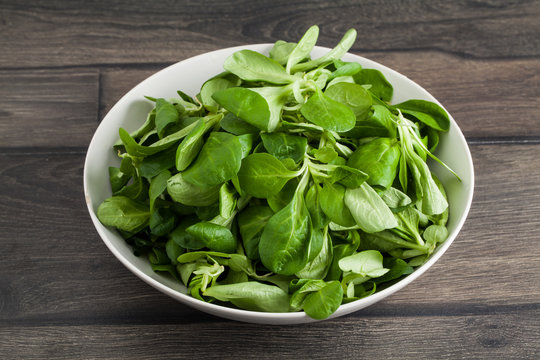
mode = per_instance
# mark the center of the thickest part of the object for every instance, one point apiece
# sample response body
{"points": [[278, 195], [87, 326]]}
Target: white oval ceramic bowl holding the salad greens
{"points": [[188, 76]]}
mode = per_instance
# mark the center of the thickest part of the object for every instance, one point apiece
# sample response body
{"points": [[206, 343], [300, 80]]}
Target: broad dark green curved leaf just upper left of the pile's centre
{"points": [[218, 161]]}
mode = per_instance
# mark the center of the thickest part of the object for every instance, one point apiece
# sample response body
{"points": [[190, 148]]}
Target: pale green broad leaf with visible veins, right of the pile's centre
{"points": [[368, 209]]}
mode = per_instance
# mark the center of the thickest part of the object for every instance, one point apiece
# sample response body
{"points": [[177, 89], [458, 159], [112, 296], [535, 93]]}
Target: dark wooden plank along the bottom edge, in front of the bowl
{"points": [[499, 336]]}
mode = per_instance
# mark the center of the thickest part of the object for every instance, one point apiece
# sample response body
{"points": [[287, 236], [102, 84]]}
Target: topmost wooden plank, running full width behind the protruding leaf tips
{"points": [[119, 32]]}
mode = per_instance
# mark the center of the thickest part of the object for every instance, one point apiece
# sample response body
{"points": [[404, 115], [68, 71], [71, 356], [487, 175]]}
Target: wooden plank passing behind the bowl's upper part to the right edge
{"points": [[483, 96]]}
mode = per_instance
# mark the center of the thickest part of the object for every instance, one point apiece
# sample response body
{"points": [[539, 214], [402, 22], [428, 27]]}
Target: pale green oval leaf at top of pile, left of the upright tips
{"points": [[250, 65]]}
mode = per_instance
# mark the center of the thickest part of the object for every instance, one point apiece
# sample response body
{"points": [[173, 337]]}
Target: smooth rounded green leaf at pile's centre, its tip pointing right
{"points": [[262, 175]]}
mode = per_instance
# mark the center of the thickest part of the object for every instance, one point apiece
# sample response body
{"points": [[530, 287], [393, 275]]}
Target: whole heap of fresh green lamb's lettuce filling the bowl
{"points": [[287, 184]]}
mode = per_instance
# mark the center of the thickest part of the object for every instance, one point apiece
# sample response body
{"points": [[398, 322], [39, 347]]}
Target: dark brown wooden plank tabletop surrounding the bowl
{"points": [[63, 64]]}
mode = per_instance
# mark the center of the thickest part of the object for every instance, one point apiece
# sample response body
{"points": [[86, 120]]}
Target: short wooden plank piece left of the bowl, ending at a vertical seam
{"points": [[48, 108]]}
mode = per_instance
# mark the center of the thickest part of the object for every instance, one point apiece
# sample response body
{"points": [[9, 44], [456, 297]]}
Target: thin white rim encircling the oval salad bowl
{"points": [[272, 317]]}
